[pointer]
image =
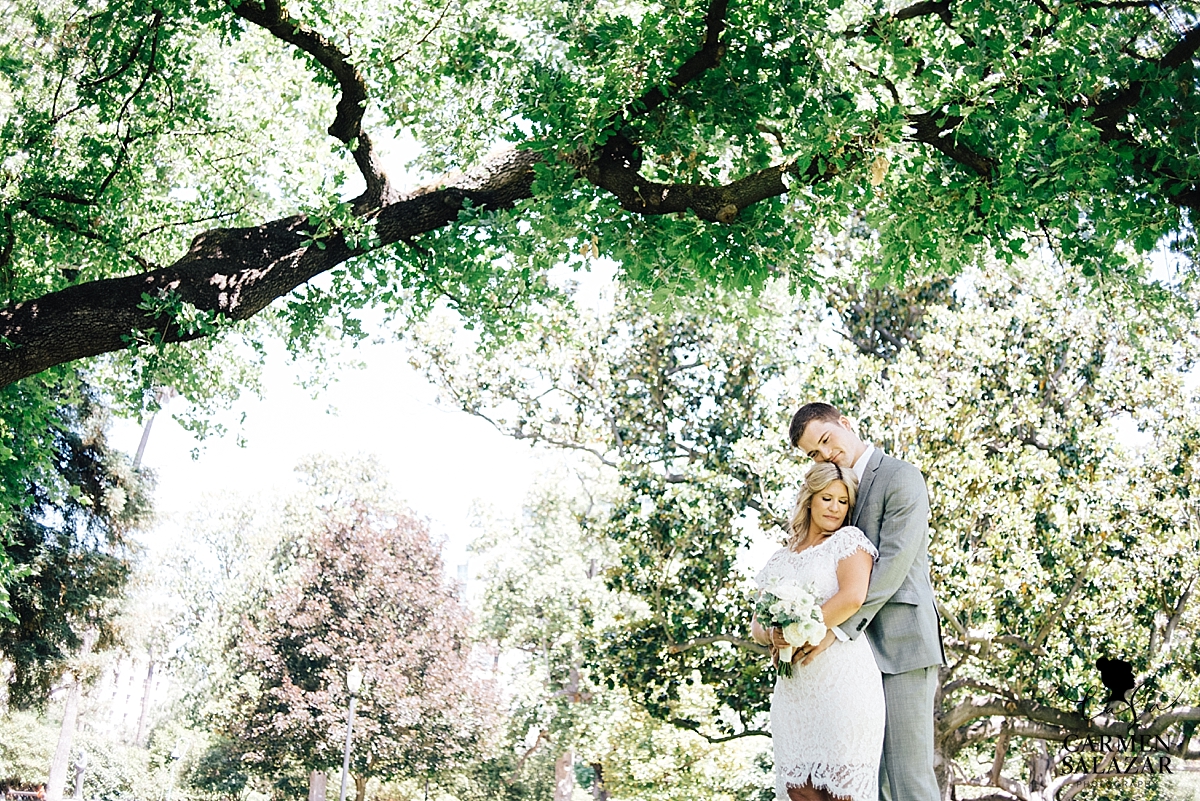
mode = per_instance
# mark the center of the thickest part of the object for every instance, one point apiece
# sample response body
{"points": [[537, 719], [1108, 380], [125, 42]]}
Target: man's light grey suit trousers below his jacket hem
{"points": [[907, 772]]}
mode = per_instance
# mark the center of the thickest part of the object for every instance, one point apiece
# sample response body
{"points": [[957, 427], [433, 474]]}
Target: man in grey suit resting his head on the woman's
{"points": [[898, 616]]}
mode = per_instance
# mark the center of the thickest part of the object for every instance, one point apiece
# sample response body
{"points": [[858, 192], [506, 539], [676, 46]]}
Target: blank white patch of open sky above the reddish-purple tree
{"points": [[440, 460]]}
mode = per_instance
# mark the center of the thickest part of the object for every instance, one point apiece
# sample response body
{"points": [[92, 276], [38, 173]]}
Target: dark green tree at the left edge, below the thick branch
{"points": [[70, 504]]}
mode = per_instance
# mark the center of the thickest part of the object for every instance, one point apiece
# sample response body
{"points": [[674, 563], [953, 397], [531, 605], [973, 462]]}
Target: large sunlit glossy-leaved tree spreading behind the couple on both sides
{"points": [[1057, 543]]}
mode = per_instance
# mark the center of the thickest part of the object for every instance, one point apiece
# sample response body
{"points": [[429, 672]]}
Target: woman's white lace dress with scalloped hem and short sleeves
{"points": [[827, 719]]}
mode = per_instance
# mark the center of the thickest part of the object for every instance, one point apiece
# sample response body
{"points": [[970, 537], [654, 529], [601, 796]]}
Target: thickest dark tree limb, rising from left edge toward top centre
{"points": [[232, 272]]}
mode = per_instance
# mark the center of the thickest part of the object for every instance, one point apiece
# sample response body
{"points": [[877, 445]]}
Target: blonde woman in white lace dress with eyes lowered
{"points": [[827, 719]]}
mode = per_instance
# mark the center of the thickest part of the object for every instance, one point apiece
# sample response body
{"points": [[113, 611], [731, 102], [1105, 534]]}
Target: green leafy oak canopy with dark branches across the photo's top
{"points": [[169, 168]]}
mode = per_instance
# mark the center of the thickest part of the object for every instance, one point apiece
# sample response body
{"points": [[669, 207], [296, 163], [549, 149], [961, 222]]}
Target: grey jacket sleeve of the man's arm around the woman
{"points": [[903, 535]]}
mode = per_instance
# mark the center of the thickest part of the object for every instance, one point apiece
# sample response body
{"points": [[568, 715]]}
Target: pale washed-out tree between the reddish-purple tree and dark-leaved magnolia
{"points": [[545, 598]]}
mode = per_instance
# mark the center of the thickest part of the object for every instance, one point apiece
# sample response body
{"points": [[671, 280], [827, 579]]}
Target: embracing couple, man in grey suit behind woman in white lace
{"points": [[856, 718]]}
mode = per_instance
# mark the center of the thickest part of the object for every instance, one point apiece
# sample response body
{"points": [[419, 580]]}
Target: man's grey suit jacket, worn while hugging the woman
{"points": [[898, 615]]}
